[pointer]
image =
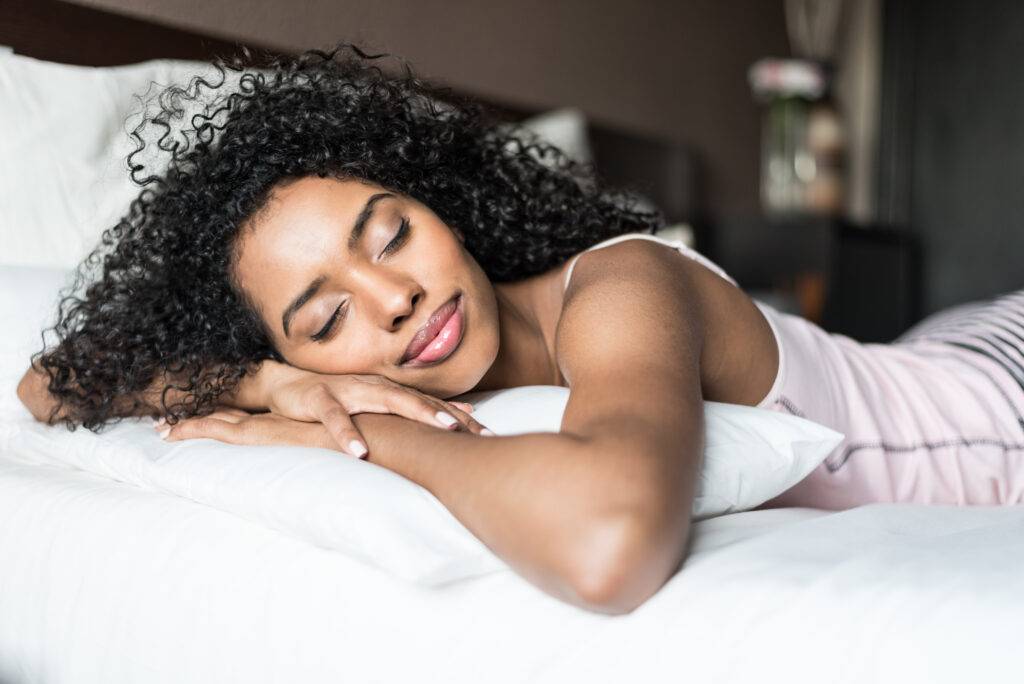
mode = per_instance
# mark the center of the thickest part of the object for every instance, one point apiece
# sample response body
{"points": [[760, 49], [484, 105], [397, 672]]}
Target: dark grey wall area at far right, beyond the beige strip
{"points": [[952, 163]]}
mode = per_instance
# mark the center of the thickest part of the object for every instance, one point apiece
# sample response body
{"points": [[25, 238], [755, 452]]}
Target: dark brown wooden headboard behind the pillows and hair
{"points": [[55, 31]]}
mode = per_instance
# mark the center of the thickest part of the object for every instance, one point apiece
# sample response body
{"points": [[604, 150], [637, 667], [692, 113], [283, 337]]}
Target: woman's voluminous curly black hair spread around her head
{"points": [[137, 317]]}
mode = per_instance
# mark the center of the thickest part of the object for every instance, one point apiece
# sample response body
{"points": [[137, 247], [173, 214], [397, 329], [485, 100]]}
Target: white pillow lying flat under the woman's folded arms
{"points": [[355, 506]]}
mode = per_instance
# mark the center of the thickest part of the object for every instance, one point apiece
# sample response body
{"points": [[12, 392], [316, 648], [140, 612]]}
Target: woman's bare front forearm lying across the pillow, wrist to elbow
{"points": [[536, 500]]}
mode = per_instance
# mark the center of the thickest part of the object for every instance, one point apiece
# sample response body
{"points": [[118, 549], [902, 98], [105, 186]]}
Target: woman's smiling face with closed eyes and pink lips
{"points": [[346, 275]]}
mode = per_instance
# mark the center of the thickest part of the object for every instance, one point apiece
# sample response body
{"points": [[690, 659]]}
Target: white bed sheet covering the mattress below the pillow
{"points": [[102, 582]]}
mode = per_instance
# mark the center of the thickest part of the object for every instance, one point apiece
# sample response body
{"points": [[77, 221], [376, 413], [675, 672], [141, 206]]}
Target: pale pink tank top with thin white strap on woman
{"points": [[924, 420]]}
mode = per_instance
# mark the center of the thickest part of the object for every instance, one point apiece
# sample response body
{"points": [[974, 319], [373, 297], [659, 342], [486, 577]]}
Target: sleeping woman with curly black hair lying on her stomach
{"points": [[342, 252]]}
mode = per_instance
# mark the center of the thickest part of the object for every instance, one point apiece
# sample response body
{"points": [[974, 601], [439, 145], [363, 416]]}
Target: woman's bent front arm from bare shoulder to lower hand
{"points": [[599, 515]]}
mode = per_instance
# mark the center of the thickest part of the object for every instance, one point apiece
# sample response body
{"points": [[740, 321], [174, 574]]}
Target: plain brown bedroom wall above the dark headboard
{"points": [[672, 69]]}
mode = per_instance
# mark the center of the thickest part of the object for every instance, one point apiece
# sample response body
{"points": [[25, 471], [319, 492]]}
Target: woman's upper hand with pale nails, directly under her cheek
{"points": [[332, 400]]}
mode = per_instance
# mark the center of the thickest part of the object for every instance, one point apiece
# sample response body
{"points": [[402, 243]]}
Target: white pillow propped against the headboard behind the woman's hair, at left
{"points": [[63, 155]]}
